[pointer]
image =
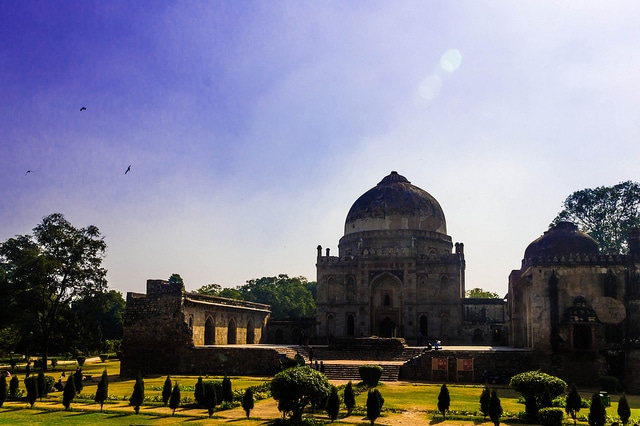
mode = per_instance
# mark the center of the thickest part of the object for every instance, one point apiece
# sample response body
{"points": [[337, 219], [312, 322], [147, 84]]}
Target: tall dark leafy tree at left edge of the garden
{"points": [[46, 271]]}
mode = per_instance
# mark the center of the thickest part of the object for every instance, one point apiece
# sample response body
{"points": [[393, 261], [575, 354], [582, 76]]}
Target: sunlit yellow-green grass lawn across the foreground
{"points": [[405, 403]]}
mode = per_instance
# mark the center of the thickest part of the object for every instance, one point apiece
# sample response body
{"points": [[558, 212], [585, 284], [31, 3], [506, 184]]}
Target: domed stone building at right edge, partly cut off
{"points": [[577, 309]]}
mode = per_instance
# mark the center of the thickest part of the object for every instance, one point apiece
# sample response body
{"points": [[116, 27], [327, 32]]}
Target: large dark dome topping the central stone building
{"points": [[395, 204]]}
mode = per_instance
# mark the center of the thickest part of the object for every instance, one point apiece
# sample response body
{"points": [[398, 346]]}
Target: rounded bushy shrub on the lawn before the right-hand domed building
{"points": [[532, 384]]}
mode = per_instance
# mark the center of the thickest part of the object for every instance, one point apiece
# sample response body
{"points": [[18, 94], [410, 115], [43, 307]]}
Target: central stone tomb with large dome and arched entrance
{"points": [[397, 272]]}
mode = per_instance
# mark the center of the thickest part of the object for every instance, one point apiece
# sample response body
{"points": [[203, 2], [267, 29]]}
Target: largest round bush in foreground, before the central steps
{"points": [[297, 387]]}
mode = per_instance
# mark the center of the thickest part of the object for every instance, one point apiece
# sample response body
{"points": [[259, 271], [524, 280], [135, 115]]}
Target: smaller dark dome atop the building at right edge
{"points": [[562, 239]]}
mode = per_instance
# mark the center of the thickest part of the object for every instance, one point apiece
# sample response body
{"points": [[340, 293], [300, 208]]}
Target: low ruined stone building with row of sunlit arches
{"points": [[168, 330]]}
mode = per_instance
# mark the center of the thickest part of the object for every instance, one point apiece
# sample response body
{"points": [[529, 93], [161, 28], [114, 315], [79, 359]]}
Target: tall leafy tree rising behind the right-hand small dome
{"points": [[605, 213]]}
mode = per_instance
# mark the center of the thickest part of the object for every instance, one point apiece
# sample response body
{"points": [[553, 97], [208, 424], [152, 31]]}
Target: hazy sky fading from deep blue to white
{"points": [[251, 127]]}
